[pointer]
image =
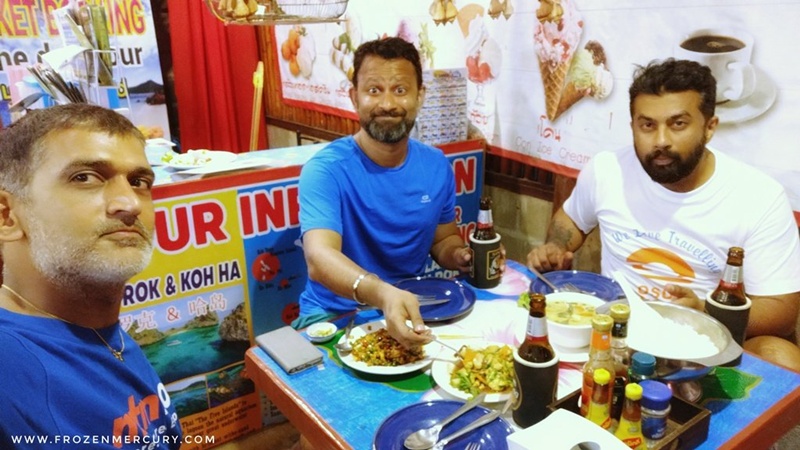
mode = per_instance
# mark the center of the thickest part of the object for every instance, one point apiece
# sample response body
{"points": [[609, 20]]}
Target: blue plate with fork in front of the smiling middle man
{"points": [[462, 298]]}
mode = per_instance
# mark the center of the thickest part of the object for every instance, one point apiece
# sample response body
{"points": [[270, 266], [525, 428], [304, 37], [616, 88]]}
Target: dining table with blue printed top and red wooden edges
{"points": [[337, 408]]}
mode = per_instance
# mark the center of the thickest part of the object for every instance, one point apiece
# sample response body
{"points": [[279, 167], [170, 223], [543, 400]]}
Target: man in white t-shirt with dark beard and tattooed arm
{"points": [[670, 208]]}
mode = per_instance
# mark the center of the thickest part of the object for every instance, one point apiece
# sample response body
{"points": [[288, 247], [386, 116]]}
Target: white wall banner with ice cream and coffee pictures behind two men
{"points": [[548, 80]]}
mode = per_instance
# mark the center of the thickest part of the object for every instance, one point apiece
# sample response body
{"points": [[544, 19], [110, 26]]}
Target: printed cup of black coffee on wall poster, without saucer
{"points": [[728, 53]]}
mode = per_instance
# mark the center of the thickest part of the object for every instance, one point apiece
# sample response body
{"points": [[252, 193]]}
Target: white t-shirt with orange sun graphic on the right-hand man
{"points": [[656, 237]]}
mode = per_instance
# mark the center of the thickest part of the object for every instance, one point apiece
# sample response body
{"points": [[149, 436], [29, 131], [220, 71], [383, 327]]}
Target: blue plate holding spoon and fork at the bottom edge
{"points": [[394, 430]]}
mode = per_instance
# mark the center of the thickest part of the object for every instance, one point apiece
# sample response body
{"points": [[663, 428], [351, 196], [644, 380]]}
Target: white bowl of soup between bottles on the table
{"points": [[569, 318]]}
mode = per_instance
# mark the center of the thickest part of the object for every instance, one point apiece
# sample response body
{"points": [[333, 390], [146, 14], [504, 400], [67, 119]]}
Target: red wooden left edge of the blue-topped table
{"points": [[310, 424]]}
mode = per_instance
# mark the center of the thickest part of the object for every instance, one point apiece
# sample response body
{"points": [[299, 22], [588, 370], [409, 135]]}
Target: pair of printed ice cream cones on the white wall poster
{"points": [[569, 72]]}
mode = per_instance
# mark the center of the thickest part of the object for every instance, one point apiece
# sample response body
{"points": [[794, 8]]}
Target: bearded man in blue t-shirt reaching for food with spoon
{"points": [[374, 205]]}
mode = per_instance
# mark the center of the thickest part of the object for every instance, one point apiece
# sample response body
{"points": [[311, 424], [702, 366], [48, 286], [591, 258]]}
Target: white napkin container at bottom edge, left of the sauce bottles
{"points": [[563, 430]]}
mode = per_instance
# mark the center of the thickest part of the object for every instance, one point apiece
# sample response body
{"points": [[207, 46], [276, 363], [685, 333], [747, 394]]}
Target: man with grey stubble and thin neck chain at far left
{"points": [[76, 223]]}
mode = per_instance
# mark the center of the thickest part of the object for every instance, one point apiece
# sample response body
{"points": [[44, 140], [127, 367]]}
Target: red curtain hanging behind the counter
{"points": [[213, 66]]}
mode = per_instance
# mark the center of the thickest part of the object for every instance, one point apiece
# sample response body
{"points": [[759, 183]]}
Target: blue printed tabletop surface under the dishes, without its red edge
{"points": [[355, 406]]}
